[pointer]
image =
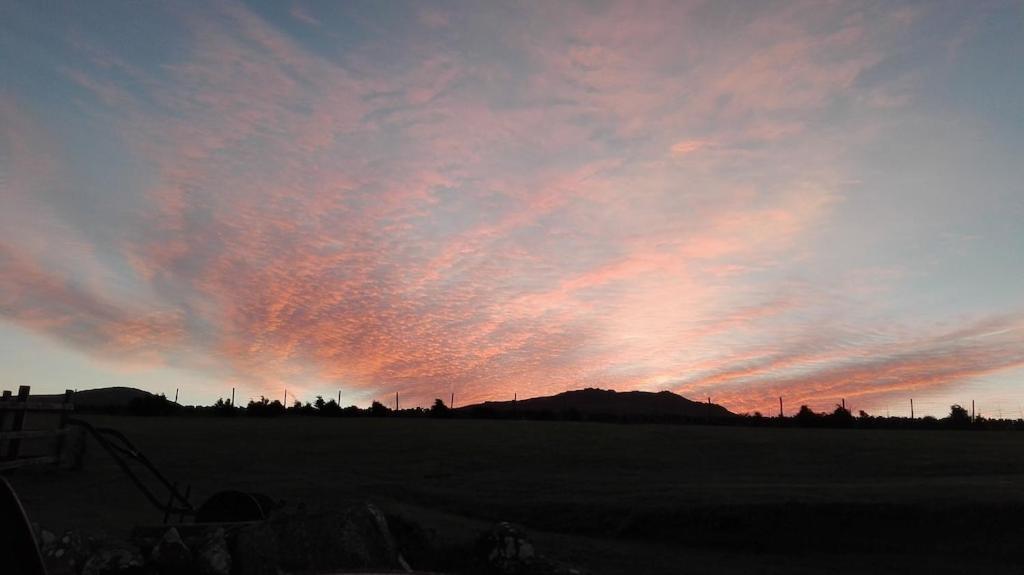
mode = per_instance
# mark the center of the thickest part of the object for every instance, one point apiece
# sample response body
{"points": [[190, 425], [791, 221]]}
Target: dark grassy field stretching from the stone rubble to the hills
{"points": [[613, 498]]}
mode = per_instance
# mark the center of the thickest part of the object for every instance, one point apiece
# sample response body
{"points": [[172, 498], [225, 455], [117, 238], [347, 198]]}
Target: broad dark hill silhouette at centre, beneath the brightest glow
{"points": [[599, 403]]}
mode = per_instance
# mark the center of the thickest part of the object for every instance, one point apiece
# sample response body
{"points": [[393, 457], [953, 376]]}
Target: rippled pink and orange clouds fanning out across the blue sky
{"points": [[604, 197]]}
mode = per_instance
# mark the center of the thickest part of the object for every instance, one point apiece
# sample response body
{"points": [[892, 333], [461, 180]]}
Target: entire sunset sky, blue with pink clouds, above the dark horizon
{"points": [[736, 200]]}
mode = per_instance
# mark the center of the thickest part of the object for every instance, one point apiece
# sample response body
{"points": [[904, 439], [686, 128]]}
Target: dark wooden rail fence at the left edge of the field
{"points": [[14, 412]]}
